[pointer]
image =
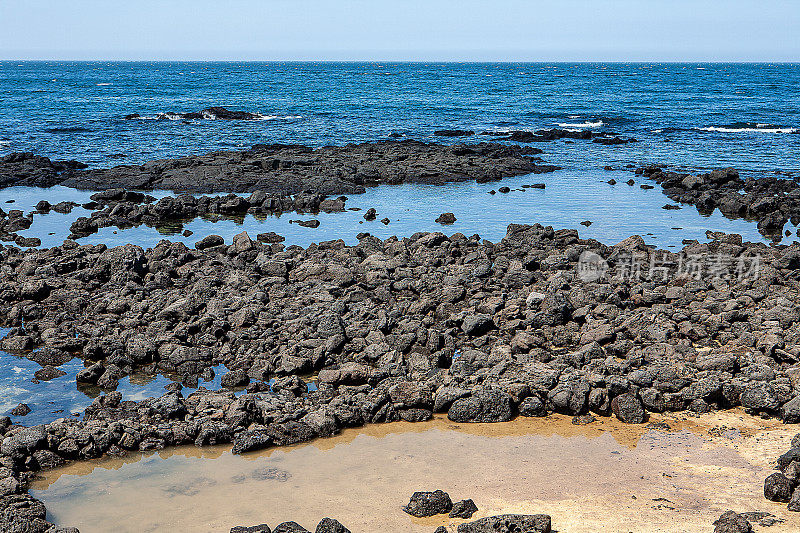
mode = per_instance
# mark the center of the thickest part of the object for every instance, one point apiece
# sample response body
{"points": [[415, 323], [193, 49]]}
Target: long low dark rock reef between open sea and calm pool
{"points": [[279, 169]]}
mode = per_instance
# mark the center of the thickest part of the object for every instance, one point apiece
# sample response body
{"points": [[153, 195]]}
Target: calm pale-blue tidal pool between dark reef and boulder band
{"points": [[571, 197]]}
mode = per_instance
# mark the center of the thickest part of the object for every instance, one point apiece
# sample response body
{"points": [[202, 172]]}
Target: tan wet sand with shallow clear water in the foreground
{"points": [[604, 476]]}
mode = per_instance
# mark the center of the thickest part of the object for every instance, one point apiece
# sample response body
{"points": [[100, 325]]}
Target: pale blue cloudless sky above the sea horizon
{"points": [[485, 30]]}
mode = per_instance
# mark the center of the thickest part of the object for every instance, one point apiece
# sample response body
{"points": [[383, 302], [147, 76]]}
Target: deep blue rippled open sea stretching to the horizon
{"points": [[694, 115]]}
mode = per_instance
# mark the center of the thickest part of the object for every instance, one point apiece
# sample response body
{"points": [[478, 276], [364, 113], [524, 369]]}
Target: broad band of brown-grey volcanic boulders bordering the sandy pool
{"points": [[541, 322]]}
